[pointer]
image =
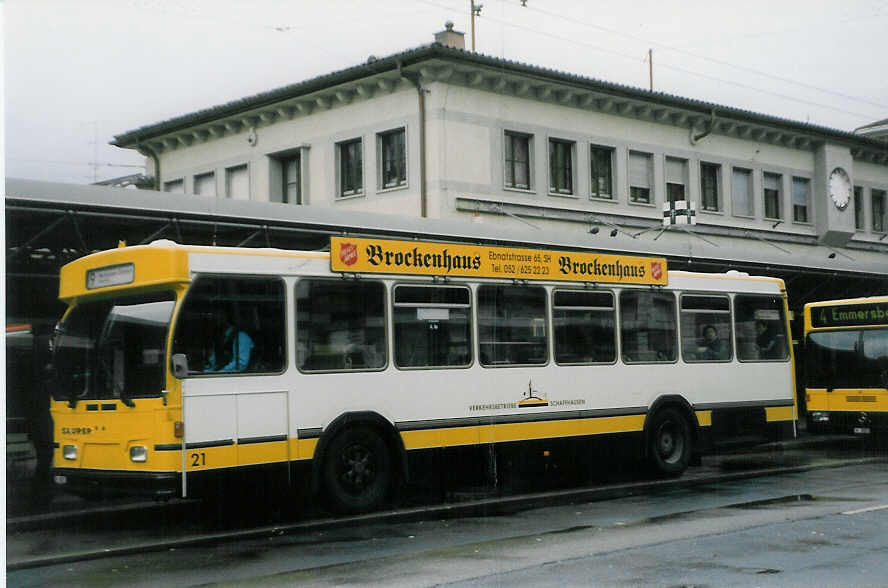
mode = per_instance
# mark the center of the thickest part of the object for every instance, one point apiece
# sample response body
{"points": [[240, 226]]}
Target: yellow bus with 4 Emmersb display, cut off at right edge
{"points": [[846, 364]]}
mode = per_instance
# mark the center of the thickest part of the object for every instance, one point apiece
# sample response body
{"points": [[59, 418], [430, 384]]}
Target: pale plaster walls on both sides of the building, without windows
{"points": [[464, 136]]}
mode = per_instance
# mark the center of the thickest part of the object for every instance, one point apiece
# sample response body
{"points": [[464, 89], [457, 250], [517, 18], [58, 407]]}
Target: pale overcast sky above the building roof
{"points": [[78, 72]]}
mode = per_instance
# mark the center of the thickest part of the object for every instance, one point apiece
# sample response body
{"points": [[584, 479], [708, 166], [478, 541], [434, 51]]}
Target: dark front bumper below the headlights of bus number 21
{"points": [[100, 483]]}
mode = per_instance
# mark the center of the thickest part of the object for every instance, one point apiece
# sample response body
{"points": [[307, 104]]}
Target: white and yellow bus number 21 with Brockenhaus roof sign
{"points": [[176, 364]]}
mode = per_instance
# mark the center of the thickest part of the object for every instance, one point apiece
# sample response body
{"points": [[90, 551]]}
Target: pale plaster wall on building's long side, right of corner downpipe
{"points": [[462, 118]]}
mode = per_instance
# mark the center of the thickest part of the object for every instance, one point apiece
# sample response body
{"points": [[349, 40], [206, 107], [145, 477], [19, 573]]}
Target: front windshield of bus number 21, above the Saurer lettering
{"points": [[113, 348]]}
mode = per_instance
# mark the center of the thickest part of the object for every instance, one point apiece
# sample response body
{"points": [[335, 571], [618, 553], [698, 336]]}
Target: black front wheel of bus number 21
{"points": [[357, 471]]}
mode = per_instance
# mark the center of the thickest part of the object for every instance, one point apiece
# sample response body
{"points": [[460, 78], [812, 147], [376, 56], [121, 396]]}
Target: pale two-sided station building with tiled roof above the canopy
{"points": [[443, 133]]}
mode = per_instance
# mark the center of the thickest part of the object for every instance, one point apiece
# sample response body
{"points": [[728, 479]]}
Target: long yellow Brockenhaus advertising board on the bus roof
{"points": [[448, 259]]}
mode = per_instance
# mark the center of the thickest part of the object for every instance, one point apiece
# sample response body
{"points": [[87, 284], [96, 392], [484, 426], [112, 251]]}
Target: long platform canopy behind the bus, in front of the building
{"points": [[49, 224]]}
